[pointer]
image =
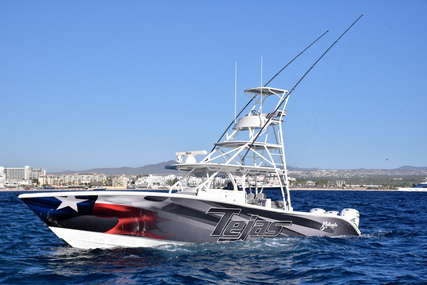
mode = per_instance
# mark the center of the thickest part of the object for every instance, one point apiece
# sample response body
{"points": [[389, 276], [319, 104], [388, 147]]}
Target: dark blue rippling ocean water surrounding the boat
{"points": [[391, 250]]}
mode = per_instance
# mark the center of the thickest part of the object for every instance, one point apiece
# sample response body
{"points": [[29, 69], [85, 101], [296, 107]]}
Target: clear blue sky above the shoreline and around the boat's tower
{"points": [[88, 84]]}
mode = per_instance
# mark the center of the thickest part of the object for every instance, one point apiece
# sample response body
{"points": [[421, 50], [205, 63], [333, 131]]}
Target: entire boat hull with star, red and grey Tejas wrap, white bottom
{"points": [[145, 219]]}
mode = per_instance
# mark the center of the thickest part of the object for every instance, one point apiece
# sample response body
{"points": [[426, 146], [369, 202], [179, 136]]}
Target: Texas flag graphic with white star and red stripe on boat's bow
{"points": [[84, 213]]}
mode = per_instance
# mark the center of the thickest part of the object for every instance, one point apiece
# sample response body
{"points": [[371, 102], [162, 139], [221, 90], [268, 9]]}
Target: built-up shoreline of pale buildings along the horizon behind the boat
{"points": [[27, 177]]}
